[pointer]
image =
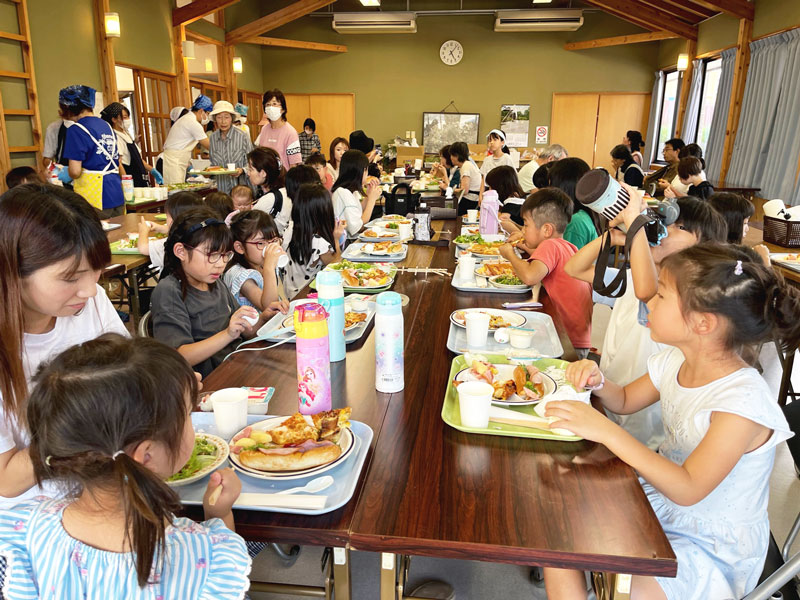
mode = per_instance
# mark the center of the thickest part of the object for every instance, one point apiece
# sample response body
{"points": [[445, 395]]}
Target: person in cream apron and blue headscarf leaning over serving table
{"points": [[185, 134]]}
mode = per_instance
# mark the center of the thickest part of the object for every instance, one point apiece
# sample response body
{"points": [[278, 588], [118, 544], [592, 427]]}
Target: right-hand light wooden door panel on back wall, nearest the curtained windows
{"points": [[617, 113]]}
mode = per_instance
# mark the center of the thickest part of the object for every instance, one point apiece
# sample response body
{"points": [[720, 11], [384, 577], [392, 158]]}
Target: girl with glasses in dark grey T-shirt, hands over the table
{"points": [[191, 312]]}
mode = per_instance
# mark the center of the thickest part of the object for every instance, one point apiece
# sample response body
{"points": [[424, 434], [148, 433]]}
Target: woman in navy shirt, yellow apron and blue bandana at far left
{"points": [[91, 149]]}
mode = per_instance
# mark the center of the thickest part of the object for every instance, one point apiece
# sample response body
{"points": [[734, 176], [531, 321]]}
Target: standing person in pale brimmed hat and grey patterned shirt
{"points": [[228, 144]]}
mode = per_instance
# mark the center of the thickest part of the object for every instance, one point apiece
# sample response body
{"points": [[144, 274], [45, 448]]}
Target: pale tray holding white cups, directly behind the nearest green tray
{"points": [[536, 337]]}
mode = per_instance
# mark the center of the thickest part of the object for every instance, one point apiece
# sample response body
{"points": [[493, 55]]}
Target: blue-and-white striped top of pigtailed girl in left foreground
{"points": [[204, 561]]}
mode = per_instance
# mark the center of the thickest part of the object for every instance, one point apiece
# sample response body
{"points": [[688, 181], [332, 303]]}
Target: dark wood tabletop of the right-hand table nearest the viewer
{"points": [[433, 490]]}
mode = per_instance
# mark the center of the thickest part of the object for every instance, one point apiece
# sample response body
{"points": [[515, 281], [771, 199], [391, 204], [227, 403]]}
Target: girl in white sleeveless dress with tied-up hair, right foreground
{"points": [[709, 481]]}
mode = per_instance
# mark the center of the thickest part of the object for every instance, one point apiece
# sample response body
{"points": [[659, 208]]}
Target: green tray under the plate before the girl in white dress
{"points": [[452, 416]]}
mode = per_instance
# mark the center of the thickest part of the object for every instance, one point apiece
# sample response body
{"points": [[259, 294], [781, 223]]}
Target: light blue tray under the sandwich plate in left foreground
{"points": [[345, 475]]}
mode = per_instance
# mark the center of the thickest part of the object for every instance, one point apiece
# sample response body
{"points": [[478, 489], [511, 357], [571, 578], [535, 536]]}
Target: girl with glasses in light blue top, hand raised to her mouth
{"points": [[257, 247]]}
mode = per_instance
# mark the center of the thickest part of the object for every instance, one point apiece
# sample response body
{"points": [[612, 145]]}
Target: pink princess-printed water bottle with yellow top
{"points": [[313, 358]]}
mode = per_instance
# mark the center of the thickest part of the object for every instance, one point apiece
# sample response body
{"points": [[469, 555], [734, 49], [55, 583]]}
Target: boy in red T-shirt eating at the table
{"points": [[546, 214]]}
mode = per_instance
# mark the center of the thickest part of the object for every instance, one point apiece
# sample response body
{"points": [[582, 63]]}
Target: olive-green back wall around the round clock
{"points": [[396, 78]]}
